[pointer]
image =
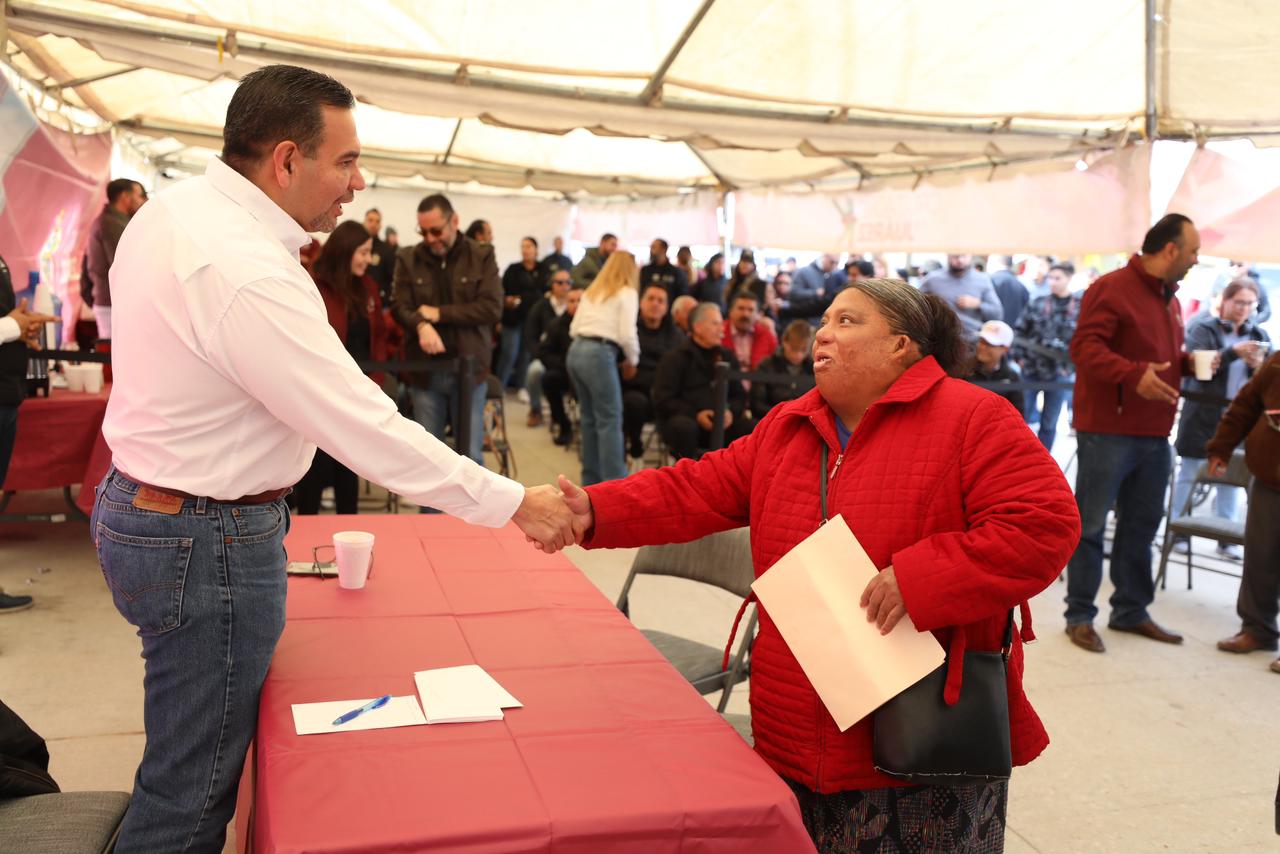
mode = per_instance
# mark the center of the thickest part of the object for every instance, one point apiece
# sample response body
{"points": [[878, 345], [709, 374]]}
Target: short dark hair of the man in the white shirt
{"points": [[277, 104]]}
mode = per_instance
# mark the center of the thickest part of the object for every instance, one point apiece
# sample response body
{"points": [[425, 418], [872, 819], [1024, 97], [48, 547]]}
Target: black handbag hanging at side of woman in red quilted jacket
{"points": [[918, 738]]}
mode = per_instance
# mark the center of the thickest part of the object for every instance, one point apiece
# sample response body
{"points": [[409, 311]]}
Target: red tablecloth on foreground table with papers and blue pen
{"points": [[612, 752]]}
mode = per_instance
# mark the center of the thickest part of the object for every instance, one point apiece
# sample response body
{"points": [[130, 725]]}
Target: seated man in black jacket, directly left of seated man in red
{"points": [[683, 389]]}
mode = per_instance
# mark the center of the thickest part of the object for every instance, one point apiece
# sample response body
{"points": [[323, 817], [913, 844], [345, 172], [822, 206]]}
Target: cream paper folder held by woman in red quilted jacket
{"points": [[813, 596]]}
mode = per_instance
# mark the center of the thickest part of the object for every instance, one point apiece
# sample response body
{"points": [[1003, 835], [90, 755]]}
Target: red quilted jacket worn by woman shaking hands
{"points": [[943, 481]]}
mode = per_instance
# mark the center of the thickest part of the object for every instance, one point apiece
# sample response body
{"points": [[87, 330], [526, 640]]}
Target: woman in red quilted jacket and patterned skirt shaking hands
{"points": [[949, 494]]}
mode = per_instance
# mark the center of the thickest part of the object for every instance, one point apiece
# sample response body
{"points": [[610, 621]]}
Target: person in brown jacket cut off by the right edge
{"points": [[1255, 418]]}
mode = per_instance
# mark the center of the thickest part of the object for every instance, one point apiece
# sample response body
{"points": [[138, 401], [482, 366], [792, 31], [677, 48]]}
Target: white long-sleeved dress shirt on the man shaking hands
{"points": [[228, 375]]}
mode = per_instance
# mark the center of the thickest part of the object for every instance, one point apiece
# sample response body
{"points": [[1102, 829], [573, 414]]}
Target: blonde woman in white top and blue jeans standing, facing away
{"points": [[605, 334]]}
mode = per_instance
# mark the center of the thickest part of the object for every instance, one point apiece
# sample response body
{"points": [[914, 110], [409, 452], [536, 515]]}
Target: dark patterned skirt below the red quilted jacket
{"points": [[916, 820]]}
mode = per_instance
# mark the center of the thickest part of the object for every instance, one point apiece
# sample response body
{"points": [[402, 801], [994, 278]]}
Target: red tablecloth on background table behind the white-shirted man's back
{"points": [[61, 444]]}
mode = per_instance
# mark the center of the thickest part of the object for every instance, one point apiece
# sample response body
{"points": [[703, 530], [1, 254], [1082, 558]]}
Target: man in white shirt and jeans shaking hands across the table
{"points": [[227, 377]]}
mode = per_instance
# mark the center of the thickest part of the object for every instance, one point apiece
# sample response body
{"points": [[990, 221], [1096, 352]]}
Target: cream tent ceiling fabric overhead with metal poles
{"points": [[606, 99]]}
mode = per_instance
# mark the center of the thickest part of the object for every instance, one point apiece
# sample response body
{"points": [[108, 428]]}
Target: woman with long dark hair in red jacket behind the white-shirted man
{"points": [[356, 314]]}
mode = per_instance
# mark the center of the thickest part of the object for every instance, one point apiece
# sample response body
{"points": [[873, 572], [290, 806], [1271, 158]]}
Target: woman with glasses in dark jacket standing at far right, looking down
{"points": [[1244, 346]]}
